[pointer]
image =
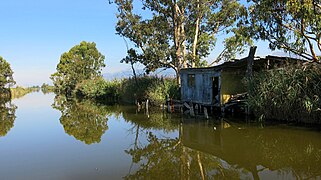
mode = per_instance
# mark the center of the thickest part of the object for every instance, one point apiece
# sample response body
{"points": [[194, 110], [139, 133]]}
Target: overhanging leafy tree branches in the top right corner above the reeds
{"points": [[291, 25]]}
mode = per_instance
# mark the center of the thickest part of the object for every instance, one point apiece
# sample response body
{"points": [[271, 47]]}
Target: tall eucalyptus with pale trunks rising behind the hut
{"points": [[177, 33]]}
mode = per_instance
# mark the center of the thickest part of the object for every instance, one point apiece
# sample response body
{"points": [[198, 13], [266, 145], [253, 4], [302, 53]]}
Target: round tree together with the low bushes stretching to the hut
{"points": [[79, 74]]}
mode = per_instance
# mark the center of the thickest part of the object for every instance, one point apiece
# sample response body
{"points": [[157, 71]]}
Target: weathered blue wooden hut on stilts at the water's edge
{"points": [[222, 87]]}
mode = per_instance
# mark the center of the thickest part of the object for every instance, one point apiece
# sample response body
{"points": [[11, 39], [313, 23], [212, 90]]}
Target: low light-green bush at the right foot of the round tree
{"points": [[99, 90]]}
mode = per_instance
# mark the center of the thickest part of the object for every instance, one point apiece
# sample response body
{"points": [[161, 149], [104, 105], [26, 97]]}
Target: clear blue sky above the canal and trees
{"points": [[34, 33]]}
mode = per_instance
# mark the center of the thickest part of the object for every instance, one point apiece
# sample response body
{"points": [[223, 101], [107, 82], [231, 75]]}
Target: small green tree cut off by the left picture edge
{"points": [[6, 78]]}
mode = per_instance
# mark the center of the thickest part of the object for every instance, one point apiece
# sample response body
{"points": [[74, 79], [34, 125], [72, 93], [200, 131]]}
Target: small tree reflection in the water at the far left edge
{"points": [[7, 116]]}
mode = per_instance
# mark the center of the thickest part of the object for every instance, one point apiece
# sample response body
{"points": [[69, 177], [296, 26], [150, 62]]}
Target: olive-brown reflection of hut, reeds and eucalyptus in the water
{"points": [[207, 150]]}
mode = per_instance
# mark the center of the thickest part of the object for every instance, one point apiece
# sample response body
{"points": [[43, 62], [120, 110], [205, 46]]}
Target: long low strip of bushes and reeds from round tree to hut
{"points": [[129, 90]]}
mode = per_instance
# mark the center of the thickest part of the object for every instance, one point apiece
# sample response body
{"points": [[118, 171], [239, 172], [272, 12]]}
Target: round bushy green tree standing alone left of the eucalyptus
{"points": [[82, 62]]}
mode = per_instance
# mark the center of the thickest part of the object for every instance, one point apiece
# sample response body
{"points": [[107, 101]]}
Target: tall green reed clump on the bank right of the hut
{"points": [[290, 93]]}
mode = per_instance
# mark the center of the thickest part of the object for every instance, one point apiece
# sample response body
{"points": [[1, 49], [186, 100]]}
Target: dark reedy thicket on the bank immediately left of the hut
{"points": [[155, 89]]}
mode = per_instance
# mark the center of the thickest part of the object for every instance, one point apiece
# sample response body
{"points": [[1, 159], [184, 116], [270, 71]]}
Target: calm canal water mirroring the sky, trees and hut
{"points": [[47, 137]]}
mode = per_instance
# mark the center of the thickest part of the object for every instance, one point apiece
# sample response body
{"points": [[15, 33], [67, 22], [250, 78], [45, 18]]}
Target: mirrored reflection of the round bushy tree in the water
{"points": [[84, 120]]}
